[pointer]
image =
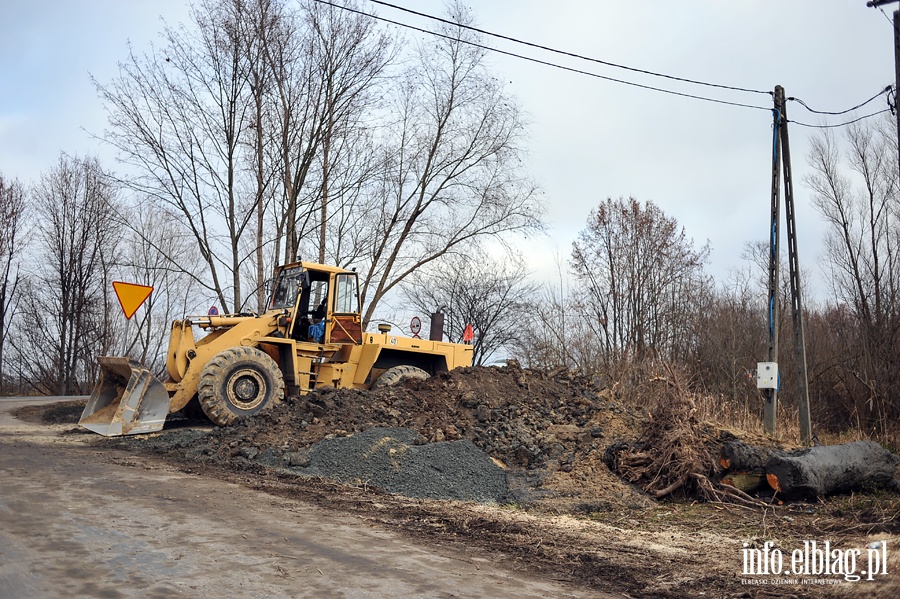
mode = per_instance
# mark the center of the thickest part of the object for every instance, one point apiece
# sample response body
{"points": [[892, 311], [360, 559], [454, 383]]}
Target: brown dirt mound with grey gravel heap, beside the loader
{"points": [[505, 435]]}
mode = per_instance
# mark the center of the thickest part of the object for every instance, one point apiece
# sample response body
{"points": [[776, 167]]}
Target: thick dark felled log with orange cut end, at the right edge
{"points": [[829, 469]]}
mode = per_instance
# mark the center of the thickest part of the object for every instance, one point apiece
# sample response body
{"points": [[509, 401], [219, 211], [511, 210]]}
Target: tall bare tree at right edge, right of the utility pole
{"points": [[857, 194]]}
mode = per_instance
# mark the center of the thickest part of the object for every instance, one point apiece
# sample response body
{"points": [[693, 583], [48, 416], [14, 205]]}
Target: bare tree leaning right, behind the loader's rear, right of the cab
{"points": [[452, 156]]}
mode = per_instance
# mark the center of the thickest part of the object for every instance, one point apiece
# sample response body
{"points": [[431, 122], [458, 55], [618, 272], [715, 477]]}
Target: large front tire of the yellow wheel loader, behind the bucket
{"points": [[239, 381]]}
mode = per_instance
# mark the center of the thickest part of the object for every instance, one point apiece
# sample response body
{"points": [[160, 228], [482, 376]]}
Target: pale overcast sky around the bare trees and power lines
{"points": [[707, 165]]}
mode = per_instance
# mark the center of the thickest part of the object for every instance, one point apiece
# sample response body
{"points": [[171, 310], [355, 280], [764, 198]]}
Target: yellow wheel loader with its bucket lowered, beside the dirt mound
{"points": [[309, 337]]}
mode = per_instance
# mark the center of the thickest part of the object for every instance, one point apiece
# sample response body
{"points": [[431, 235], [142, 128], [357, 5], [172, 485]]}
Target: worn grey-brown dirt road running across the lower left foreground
{"points": [[78, 521]]}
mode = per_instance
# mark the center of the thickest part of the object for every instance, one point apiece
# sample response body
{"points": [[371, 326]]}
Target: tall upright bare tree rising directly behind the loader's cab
{"points": [[323, 65]]}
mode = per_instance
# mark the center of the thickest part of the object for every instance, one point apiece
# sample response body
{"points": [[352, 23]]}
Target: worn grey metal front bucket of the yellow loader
{"points": [[127, 400]]}
